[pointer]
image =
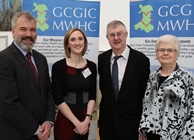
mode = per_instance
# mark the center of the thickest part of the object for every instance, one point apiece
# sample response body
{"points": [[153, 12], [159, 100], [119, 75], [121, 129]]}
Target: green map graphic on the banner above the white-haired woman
{"points": [[145, 22]]}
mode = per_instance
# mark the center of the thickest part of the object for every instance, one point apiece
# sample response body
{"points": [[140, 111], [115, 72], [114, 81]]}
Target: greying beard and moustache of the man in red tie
{"points": [[23, 45]]}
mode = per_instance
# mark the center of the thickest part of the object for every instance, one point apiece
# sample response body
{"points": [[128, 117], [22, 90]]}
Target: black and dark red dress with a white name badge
{"points": [[70, 86]]}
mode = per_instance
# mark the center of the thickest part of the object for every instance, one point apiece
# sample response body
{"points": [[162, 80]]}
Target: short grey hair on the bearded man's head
{"points": [[25, 14]]}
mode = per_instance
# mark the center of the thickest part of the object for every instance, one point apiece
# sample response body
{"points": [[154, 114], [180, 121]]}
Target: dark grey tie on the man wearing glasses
{"points": [[115, 76]]}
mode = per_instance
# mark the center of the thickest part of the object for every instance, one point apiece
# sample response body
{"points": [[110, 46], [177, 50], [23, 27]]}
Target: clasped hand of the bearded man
{"points": [[45, 130]]}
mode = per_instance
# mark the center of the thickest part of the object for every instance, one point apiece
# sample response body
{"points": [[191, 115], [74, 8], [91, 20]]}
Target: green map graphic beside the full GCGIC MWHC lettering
{"points": [[41, 16]]}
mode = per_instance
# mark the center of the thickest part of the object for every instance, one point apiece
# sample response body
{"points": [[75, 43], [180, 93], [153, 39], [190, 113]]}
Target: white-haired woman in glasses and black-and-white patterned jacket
{"points": [[168, 105]]}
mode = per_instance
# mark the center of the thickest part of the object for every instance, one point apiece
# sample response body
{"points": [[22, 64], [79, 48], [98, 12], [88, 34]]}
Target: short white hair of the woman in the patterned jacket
{"points": [[168, 39]]}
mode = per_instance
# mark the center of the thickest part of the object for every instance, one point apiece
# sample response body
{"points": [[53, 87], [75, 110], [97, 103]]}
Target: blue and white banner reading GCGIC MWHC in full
{"points": [[55, 18]]}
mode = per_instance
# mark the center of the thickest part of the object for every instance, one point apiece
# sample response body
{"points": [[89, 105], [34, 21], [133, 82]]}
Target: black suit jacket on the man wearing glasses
{"points": [[125, 113]]}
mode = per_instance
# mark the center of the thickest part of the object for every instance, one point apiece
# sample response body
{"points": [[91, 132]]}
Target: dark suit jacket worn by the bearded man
{"points": [[24, 105]]}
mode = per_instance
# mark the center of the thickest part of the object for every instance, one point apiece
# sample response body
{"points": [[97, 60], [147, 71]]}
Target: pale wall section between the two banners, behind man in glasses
{"points": [[111, 10]]}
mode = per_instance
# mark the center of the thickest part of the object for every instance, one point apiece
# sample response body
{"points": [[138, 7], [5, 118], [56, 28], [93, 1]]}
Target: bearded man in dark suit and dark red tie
{"points": [[26, 105]]}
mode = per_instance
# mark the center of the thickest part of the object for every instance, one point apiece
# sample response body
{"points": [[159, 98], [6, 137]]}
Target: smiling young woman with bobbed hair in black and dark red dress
{"points": [[74, 88]]}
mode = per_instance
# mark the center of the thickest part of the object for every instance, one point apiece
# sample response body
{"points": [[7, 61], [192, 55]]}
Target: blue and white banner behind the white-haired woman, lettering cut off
{"points": [[150, 19]]}
